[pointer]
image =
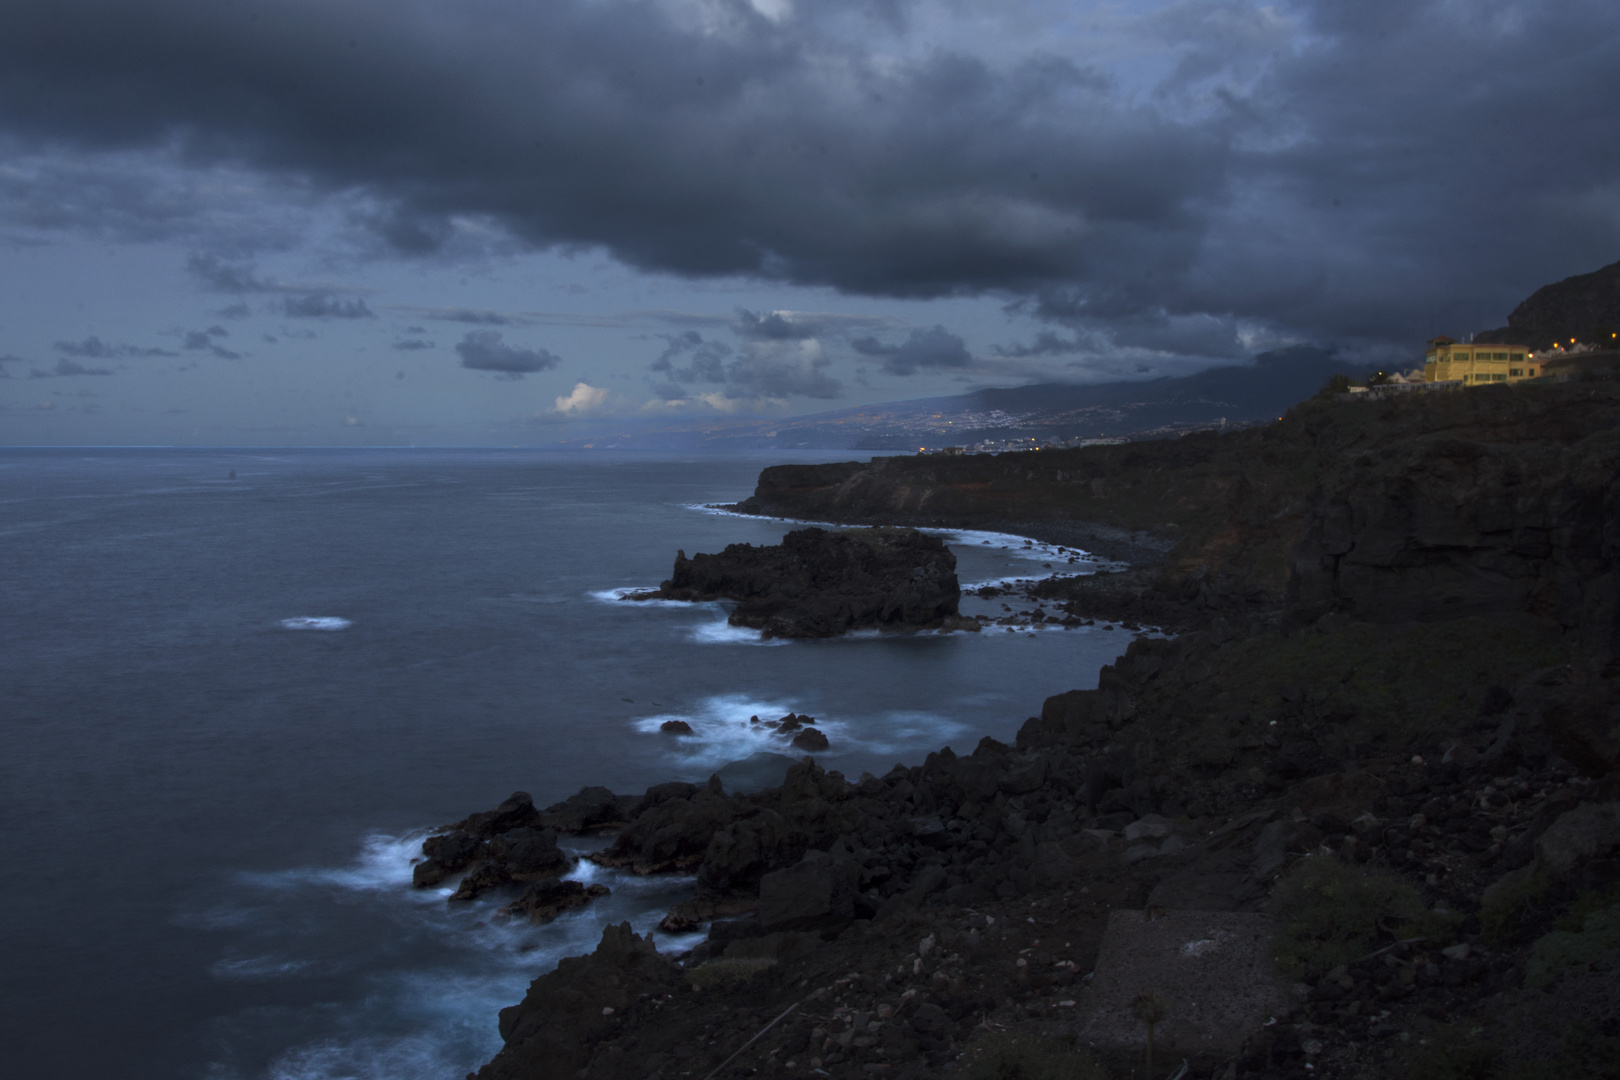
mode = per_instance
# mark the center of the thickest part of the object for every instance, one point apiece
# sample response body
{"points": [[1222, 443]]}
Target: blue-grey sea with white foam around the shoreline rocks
{"points": [[239, 686]]}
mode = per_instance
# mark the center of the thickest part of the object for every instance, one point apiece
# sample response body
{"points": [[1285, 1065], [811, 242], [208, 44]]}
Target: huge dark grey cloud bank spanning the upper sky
{"points": [[1336, 171]]}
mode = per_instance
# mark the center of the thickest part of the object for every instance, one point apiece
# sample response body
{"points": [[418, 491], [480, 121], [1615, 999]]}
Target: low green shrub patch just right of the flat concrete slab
{"points": [[1332, 914]]}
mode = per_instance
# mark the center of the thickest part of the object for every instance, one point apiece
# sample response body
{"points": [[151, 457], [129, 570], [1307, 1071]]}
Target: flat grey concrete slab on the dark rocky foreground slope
{"points": [[1213, 971]]}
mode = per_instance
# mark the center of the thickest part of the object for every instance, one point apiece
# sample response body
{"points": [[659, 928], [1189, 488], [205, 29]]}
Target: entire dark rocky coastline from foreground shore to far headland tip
{"points": [[1360, 819]]}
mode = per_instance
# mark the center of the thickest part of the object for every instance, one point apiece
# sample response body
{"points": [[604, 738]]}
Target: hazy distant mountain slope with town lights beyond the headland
{"points": [[1238, 394]]}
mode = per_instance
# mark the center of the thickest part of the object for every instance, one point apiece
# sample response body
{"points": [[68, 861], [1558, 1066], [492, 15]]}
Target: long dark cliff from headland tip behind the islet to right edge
{"points": [[1428, 508]]}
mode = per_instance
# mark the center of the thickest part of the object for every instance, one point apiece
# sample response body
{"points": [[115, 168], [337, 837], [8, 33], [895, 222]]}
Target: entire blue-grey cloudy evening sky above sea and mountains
{"points": [[498, 223]]}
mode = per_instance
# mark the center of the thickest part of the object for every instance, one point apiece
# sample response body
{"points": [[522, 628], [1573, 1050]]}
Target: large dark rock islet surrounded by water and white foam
{"points": [[819, 584]]}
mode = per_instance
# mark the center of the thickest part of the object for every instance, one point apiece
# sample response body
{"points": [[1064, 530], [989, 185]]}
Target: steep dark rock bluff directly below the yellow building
{"points": [[1444, 525]]}
